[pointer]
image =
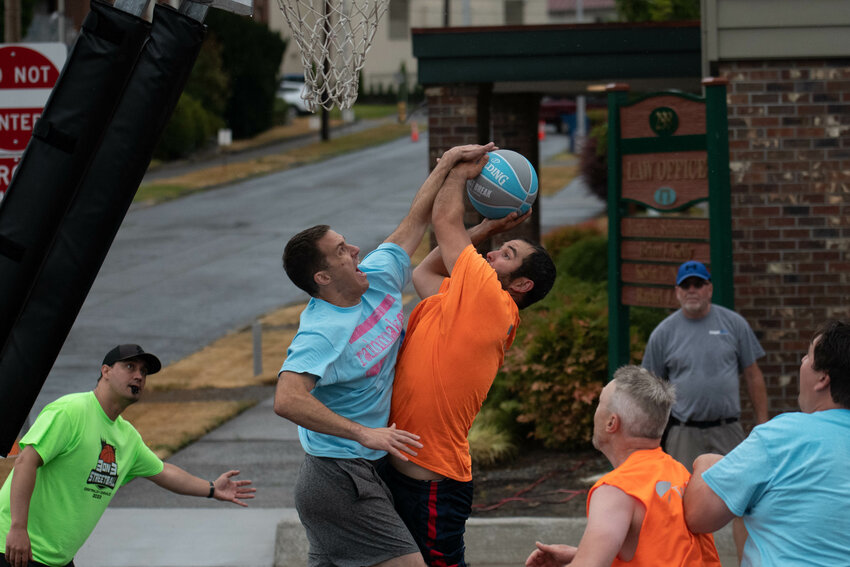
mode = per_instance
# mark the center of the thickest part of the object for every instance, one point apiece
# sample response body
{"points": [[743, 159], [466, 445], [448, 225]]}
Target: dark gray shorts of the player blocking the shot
{"points": [[348, 514]]}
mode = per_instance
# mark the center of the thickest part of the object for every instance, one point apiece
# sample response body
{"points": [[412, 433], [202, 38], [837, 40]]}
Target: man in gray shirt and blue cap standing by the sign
{"points": [[704, 349]]}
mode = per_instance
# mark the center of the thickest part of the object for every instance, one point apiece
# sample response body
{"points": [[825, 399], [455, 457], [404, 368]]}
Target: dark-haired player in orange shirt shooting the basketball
{"points": [[455, 343]]}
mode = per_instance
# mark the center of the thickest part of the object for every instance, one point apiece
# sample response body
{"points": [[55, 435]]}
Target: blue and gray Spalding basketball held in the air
{"points": [[507, 183]]}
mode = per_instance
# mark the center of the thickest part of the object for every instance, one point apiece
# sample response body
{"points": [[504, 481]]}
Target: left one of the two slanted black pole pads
{"points": [[63, 144]]}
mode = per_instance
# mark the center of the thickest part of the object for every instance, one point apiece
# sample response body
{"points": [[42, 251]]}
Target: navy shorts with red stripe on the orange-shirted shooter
{"points": [[435, 512]]}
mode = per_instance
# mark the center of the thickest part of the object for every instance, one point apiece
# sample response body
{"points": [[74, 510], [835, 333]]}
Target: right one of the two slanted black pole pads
{"points": [[95, 214]]}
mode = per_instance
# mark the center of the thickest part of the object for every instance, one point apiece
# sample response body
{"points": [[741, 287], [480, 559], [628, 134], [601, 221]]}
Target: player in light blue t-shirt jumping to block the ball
{"points": [[336, 382]]}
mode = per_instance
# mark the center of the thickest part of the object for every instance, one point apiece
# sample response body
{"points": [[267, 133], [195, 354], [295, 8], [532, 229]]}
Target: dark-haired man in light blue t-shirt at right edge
{"points": [[789, 479]]}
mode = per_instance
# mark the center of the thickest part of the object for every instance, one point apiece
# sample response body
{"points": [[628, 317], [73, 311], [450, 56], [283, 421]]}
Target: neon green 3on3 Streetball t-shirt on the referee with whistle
{"points": [[87, 457]]}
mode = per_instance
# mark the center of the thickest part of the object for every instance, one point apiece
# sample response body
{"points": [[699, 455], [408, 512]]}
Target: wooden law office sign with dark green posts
{"points": [[667, 153]]}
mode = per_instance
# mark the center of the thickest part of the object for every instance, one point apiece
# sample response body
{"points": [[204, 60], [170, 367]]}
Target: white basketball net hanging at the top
{"points": [[333, 37]]}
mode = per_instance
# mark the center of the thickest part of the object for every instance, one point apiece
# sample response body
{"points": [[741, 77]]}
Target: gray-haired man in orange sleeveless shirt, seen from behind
{"points": [[635, 513]]}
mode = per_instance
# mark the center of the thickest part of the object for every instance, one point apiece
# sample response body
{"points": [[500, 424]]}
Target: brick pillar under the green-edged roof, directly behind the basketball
{"points": [[470, 114]]}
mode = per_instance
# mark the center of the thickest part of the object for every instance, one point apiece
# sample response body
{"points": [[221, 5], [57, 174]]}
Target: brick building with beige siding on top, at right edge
{"points": [[789, 142]]}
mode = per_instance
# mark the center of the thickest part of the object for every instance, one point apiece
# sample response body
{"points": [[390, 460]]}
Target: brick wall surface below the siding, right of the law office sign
{"points": [[789, 142]]}
